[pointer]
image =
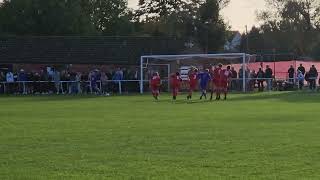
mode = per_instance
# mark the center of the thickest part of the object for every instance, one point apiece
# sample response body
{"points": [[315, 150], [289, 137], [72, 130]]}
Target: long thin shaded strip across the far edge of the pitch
{"points": [[294, 97]]}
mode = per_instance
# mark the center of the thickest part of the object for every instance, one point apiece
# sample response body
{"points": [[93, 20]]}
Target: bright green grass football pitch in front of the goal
{"points": [[250, 136]]}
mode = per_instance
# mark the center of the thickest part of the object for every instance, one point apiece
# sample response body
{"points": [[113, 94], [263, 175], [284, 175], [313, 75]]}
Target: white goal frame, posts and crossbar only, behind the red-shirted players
{"points": [[143, 59]]}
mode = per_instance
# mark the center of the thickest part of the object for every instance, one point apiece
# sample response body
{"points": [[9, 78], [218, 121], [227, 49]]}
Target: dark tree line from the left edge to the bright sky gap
{"points": [[194, 20]]}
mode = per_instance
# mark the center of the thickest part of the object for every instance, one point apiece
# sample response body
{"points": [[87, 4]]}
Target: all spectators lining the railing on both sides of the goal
{"points": [[66, 81]]}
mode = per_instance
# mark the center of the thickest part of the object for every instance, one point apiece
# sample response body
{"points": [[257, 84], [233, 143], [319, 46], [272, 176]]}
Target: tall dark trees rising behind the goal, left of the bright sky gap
{"points": [[196, 20]]}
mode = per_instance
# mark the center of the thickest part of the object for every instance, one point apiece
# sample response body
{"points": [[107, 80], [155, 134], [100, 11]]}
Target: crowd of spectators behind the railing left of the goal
{"points": [[68, 81]]}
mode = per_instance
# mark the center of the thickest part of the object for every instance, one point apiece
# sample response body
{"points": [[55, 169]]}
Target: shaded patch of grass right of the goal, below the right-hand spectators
{"points": [[292, 97]]}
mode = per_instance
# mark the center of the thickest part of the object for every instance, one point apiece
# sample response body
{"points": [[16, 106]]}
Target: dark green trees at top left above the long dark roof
{"points": [[56, 17]]}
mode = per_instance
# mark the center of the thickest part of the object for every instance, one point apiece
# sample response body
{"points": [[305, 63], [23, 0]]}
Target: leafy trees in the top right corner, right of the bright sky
{"points": [[290, 26]]}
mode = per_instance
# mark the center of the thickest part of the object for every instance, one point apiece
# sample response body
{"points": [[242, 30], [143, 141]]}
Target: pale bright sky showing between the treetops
{"points": [[238, 14]]}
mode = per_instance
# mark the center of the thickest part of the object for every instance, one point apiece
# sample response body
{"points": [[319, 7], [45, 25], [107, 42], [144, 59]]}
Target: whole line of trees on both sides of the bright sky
{"points": [[285, 26]]}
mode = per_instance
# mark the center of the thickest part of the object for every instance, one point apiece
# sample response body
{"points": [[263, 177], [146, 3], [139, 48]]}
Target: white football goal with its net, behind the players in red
{"points": [[165, 65]]}
